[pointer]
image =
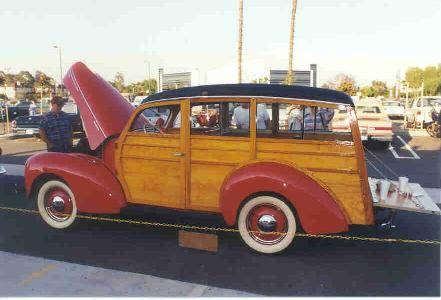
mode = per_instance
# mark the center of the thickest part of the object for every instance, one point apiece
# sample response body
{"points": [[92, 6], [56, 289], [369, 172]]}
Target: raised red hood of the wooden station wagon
{"points": [[103, 110]]}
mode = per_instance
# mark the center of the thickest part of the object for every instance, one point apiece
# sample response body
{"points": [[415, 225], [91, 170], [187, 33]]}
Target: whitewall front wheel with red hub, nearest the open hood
{"points": [[56, 204]]}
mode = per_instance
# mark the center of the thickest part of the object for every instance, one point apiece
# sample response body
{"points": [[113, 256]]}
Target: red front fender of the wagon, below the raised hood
{"points": [[95, 187]]}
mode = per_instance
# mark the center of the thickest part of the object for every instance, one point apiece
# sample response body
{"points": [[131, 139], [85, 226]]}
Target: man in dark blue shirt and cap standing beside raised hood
{"points": [[56, 128]]}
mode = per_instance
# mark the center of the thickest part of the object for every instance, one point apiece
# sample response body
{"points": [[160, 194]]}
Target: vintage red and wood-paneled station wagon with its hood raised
{"points": [[265, 157]]}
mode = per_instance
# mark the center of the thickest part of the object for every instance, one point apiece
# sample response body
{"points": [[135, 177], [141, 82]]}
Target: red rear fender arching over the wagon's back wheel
{"points": [[316, 208]]}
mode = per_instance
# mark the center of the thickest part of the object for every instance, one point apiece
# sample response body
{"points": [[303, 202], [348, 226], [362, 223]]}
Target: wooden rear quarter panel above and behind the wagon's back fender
{"points": [[335, 165]]}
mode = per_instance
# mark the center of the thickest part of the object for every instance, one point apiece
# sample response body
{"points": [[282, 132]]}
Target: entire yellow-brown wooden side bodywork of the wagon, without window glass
{"points": [[151, 175]]}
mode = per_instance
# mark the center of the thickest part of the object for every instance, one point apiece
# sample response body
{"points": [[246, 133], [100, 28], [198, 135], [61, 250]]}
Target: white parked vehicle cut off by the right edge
{"points": [[420, 111]]}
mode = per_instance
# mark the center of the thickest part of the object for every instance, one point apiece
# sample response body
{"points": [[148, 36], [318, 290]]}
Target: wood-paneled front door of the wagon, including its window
{"points": [[152, 155]]}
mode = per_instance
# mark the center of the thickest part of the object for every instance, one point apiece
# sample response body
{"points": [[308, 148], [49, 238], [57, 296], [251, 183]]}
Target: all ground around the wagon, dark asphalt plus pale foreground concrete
{"points": [[128, 260]]}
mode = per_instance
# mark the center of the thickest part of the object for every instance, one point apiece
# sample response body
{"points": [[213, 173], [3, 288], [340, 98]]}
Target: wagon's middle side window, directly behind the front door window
{"points": [[222, 119]]}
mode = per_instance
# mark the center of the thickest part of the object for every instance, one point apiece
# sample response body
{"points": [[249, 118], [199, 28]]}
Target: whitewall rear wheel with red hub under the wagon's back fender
{"points": [[267, 224]]}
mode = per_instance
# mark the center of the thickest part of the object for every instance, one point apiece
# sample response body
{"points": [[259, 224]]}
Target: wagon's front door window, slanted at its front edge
{"points": [[159, 119]]}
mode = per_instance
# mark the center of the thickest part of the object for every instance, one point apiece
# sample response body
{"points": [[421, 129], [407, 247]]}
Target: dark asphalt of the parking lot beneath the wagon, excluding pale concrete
{"points": [[311, 267]]}
